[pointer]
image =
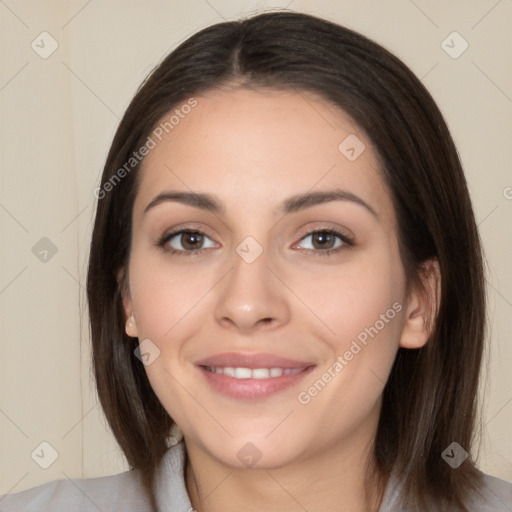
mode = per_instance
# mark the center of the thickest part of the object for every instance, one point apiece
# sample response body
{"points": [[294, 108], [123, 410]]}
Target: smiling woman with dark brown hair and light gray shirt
{"points": [[286, 275]]}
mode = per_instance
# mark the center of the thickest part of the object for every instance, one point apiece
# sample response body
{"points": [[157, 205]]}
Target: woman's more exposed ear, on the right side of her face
{"points": [[422, 307]]}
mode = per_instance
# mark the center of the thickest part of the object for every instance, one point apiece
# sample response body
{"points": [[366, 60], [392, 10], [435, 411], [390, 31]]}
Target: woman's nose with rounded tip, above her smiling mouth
{"points": [[252, 298]]}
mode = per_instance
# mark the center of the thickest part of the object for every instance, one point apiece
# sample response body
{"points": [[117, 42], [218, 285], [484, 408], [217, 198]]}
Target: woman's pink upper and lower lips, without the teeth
{"points": [[252, 389]]}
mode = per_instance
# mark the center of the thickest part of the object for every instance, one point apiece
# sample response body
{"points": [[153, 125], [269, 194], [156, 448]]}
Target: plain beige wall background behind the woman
{"points": [[58, 117]]}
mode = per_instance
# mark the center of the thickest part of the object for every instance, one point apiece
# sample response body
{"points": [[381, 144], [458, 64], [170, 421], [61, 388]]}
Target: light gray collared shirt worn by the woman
{"points": [[124, 493]]}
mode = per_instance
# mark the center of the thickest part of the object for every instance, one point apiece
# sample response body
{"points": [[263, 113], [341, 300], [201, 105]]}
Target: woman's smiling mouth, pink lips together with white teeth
{"points": [[252, 377]]}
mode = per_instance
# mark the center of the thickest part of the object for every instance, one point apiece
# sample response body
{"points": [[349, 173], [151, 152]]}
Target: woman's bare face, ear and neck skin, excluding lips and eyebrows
{"points": [[253, 149]]}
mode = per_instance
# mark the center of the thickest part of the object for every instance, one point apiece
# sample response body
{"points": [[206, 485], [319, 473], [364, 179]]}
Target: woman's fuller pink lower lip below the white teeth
{"points": [[252, 389]]}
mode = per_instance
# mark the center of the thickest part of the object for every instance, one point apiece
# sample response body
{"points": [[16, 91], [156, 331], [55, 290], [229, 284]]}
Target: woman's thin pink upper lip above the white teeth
{"points": [[257, 360]]}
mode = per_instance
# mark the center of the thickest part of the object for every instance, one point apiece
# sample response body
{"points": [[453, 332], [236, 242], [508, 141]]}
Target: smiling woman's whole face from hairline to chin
{"points": [[276, 277]]}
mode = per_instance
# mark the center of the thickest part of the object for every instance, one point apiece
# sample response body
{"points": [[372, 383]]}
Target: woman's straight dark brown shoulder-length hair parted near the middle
{"points": [[430, 399]]}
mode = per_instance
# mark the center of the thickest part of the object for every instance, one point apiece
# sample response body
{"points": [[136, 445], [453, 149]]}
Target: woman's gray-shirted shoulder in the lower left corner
{"points": [[110, 493]]}
